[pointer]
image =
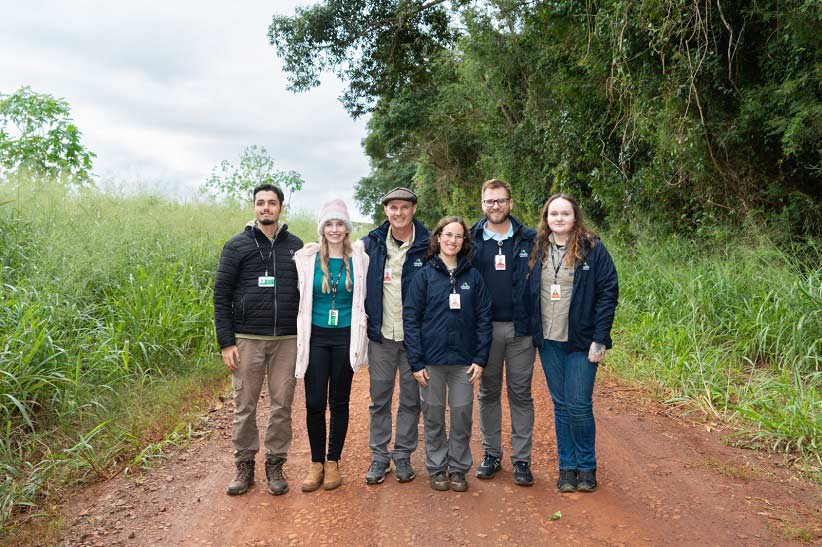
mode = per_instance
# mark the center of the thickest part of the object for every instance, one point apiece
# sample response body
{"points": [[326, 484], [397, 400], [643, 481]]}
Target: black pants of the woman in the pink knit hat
{"points": [[328, 384]]}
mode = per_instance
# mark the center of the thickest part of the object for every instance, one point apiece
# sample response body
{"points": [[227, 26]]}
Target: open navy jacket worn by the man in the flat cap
{"points": [[377, 254]]}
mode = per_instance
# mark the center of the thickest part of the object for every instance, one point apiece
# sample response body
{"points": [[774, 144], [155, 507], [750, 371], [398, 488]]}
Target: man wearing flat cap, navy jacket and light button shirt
{"points": [[396, 251]]}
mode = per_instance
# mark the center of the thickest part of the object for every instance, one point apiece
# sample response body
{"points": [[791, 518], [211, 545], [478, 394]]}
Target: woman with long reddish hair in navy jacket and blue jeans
{"points": [[573, 283]]}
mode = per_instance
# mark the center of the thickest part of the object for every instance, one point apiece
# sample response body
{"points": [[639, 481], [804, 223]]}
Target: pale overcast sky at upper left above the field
{"points": [[164, 91]]}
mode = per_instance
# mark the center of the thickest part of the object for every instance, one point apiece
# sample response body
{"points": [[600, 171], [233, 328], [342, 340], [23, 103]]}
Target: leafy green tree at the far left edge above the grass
{"points": [[38, 137]]}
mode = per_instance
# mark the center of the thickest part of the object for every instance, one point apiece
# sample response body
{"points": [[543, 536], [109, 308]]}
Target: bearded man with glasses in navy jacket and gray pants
{"points": [[502, 246]]}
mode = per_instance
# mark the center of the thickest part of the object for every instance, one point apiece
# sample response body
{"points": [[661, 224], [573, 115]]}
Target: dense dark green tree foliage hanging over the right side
{"points": [[689, 111]]}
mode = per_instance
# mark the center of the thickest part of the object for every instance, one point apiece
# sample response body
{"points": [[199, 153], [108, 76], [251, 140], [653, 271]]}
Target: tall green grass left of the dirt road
{"points": [[105, 304]]}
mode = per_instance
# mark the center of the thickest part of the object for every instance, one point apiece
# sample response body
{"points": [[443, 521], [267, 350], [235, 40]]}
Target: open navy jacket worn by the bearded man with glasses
{"points": [[523, 244]]}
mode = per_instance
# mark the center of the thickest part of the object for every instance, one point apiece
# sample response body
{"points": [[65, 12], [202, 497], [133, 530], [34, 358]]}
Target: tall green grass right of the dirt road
{"points": [[732, 324]]}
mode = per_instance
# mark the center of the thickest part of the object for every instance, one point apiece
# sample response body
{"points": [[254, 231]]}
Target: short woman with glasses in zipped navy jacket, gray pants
{"points": [[447, 324]]}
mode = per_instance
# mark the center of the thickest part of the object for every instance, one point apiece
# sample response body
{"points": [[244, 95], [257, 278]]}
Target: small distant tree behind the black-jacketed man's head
{"points": [[235, 183]]}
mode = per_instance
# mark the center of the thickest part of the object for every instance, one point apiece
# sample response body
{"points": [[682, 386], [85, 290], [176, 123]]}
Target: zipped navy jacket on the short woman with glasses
{"points": [[434, 333]]}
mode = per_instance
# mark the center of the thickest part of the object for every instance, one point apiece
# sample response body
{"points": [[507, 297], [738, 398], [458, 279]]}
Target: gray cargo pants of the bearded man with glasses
{"points": [[518, 354]]}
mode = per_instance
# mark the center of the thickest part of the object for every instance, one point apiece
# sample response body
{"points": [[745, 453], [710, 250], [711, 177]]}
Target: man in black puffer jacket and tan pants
{"points": [[255, 313]]}
